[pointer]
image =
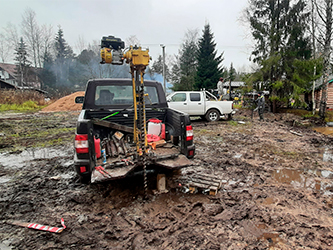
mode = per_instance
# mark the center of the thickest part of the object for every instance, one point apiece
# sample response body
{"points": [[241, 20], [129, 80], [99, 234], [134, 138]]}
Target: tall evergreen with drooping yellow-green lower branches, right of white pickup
{"points": [[279, 28]]}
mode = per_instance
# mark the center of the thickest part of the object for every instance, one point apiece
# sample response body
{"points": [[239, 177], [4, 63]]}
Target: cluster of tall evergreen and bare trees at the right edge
{"points": [[292, 48]]}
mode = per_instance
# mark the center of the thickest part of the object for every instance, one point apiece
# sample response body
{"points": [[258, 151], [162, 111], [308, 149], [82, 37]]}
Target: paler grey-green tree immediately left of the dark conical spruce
{"points": [[184, 69]]}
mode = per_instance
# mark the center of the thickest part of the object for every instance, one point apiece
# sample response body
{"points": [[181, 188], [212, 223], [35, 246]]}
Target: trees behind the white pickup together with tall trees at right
{"points": [[292, 50]]}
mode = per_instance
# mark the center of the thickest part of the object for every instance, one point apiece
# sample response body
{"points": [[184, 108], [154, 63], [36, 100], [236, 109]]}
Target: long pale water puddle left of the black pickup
{"points": [[10, 160]]}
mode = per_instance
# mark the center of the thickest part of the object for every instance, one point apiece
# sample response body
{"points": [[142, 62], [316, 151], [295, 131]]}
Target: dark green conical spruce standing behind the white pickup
{"points": [[209, 68]]}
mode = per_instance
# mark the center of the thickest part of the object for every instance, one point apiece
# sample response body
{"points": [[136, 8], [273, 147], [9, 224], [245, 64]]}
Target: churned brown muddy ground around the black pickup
{"points": [[277, 192]]}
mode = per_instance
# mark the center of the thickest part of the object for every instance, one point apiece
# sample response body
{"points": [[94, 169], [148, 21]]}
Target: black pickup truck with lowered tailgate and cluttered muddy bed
{"points": [[104, 144]]}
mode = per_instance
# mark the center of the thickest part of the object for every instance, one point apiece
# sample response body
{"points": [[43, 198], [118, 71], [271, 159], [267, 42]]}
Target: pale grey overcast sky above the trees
{"points": [[153, 22]]}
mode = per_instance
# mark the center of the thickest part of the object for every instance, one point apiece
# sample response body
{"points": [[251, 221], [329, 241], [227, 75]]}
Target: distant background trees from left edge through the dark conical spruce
{"points": [[42, 54]]}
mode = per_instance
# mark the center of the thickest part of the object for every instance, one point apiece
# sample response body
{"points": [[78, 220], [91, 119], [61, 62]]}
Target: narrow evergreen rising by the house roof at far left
{"points": [[22, 63]]}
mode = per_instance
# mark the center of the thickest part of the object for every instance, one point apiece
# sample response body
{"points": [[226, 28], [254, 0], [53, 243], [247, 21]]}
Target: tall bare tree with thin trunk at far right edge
{"points": [[324, 10]]}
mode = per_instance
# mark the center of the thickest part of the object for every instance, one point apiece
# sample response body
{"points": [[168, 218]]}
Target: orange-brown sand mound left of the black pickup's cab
{"points": [[66, 103]]}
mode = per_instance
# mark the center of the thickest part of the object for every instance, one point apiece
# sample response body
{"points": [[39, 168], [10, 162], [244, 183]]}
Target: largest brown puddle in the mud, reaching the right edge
{"points": [[299, 179]]}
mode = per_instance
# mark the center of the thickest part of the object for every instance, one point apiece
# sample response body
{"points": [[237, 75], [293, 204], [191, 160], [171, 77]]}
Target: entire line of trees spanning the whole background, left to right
{"points": [[292, 49]]}
